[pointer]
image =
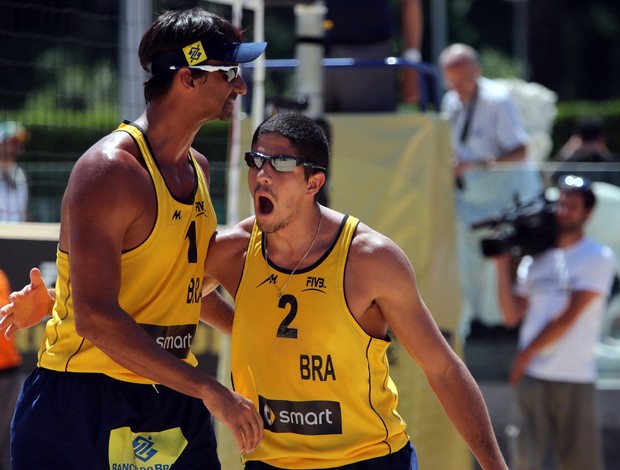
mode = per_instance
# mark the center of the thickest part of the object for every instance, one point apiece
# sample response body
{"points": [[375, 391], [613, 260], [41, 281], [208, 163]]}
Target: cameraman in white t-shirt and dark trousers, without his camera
{"points": [[560, 298]]}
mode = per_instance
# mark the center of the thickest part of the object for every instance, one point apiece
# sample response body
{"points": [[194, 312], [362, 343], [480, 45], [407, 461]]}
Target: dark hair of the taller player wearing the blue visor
{"points": [[173, 30]]}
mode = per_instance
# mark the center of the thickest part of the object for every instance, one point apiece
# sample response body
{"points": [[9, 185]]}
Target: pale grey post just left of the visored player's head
{"points": [[136, 17]]}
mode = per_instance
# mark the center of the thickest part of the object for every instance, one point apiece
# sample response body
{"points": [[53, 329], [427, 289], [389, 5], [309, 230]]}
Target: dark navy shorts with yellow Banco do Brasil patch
{"points": [[75, 420]]}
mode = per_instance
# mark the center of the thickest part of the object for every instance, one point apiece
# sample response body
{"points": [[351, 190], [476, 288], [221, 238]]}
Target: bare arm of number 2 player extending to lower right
{"points": [[396, 294]]}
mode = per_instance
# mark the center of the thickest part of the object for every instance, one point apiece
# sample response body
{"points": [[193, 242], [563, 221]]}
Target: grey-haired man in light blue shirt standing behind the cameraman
{"points": [[490, 171]]}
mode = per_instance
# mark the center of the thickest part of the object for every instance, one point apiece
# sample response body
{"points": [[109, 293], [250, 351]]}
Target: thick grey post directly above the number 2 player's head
{"points": [[309, 52]]}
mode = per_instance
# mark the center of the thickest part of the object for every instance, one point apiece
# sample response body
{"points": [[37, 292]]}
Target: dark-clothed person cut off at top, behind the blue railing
{"points": [[363, 32]]}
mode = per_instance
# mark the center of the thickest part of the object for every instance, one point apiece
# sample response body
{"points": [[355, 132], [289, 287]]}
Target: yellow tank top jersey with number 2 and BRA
{"points": [[320, 382]]}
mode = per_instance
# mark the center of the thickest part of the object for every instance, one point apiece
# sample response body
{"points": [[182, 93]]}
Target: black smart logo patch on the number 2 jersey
{"points": [[311, 418]]}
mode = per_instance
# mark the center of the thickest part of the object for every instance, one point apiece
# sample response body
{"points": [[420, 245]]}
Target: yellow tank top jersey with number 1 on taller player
{"points": [[161, 281]]}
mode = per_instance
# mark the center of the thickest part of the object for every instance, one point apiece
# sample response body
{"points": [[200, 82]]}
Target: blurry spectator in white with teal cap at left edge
{"points": [[13, 181]]}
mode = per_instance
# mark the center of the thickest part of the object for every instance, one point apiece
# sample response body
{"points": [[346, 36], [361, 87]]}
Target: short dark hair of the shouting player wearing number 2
{"points": [[306, 135]]}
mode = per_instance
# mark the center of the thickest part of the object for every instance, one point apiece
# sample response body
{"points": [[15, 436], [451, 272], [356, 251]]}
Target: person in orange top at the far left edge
{"points": [[10, 381]]}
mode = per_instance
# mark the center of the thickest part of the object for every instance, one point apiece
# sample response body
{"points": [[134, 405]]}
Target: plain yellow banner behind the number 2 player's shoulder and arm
{"points": [[394, 173]]}
